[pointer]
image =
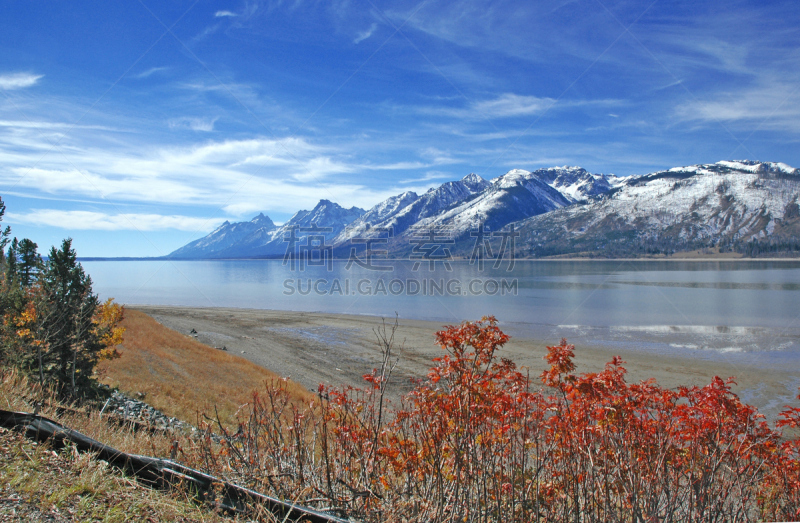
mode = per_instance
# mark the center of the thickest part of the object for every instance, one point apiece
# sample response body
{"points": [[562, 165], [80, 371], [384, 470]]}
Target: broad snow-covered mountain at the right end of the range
{"points": [[712, 205]]}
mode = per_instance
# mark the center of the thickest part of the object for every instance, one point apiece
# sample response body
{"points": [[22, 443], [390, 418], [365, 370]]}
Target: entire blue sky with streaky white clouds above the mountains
{"points": [[134, 127]]}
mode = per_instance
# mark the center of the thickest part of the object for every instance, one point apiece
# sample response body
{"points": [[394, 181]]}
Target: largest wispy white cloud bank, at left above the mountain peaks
{"points": [[235, 175]]}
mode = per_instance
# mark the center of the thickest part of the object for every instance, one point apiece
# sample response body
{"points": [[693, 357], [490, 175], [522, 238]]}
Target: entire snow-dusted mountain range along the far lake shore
{"points": [[744, 206]]}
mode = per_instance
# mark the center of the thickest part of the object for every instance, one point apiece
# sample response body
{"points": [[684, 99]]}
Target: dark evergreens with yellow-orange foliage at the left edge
{"points": [[54, 327]]}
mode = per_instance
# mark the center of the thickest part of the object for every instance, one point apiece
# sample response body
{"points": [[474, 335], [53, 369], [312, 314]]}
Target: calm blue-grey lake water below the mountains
{"points": [[745, 310]]}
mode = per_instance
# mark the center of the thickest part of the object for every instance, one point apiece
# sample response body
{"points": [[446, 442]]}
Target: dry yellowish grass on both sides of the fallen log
{"points": [[38, 484]]}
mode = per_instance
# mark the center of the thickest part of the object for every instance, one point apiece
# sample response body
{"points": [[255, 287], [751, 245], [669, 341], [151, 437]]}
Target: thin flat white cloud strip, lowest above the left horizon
{"points": [[89, 220]]}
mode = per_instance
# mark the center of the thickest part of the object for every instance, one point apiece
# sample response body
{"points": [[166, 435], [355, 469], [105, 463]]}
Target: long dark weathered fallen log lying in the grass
{"points": [[163, 473]]}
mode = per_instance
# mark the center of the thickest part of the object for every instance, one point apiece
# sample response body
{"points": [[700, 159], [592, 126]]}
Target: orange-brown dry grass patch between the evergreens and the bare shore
{"points": [[181, 376]]}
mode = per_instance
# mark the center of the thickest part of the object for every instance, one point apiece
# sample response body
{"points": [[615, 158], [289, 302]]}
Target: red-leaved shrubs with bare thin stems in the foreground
{"points": [[475, 442]]}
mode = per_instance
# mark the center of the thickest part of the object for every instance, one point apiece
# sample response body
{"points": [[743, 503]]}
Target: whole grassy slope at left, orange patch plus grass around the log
{"points": [[179, 375]]}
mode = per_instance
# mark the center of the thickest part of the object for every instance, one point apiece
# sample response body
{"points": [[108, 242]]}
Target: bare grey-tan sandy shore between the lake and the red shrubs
{"points": [[337, 349]]}
